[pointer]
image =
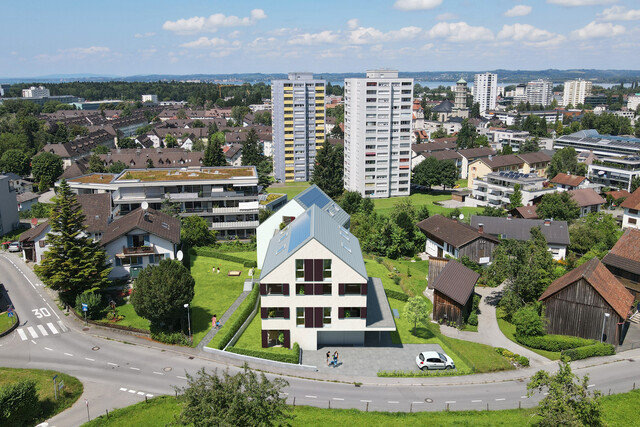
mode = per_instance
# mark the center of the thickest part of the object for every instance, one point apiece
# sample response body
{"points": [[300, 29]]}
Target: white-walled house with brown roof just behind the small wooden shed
{"points": [[447, 236]]}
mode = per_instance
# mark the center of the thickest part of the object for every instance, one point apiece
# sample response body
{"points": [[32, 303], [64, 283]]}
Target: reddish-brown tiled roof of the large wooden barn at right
{"points": [[601, 279]]}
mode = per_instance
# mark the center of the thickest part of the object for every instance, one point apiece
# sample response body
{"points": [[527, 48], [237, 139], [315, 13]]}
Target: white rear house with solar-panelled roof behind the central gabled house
{"points": [[312, 196]]}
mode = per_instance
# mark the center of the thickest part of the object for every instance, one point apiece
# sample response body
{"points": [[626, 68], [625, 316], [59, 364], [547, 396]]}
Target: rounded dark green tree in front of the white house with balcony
{"points": [[161, 291]]}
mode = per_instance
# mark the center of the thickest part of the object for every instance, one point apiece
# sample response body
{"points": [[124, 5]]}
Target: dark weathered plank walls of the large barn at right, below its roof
{"points": [[578, 310]]}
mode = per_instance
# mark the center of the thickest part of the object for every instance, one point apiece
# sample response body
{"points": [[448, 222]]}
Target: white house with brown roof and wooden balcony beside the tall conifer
{"points": [[141, 238]]}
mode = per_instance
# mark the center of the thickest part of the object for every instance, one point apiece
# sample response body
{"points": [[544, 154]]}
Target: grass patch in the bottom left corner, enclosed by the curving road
{"points": [[49, 407]]}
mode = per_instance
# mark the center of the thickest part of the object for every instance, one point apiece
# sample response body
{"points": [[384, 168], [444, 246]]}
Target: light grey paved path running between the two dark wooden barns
{"points": [[488, 331]]}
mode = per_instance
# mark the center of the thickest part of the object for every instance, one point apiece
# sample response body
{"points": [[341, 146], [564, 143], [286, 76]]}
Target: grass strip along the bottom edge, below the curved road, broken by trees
{"points": [[617, 410]]}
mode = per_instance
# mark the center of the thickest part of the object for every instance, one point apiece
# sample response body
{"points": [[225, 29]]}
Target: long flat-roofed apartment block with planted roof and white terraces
{"points": [[226, 197]]}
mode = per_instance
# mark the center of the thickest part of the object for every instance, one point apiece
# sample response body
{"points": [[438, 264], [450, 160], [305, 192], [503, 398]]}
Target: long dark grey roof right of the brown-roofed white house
{"points": [[556, 232]]}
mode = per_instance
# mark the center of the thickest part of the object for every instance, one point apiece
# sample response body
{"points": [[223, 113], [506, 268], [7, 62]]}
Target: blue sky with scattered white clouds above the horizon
{"points": [[133, 37]]}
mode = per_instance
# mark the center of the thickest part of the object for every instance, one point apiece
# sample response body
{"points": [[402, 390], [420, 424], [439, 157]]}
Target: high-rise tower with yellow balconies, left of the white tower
{"points": [[298, 125]]}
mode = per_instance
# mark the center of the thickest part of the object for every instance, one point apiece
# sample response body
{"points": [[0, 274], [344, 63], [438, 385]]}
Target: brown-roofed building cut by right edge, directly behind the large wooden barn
{"points": [[623, 260]]}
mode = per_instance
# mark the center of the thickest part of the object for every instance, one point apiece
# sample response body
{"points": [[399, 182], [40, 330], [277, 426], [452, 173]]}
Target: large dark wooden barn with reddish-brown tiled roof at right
{"points": [[578, 303]]}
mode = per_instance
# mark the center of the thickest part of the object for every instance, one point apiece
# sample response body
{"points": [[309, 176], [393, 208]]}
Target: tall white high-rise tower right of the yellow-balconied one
{"points": [[377, 141]]}
